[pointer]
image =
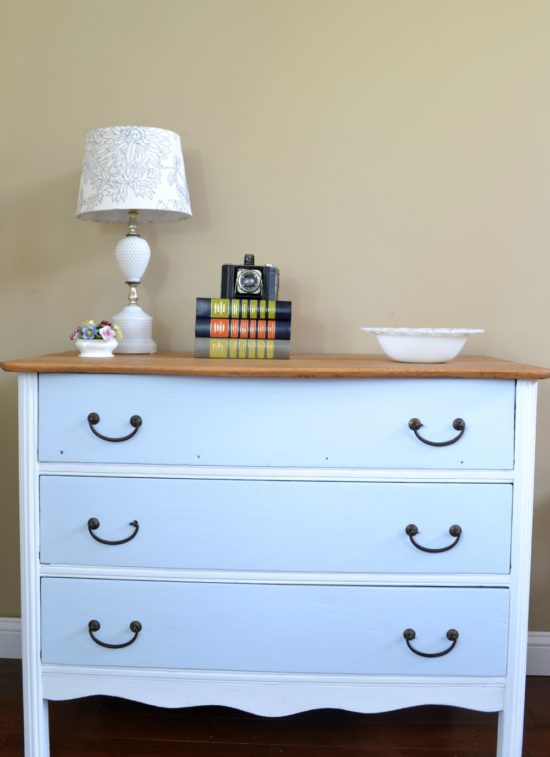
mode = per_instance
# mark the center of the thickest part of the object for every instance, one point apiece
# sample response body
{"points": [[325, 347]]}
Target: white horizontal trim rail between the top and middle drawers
{"points": [[128, 470]]}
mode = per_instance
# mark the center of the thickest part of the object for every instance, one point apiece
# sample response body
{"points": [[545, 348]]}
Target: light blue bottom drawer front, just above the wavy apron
{"points": [[302, 629]]}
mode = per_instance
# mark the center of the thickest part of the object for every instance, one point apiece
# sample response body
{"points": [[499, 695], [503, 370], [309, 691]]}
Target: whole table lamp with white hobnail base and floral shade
{"points": [[133, 174]]}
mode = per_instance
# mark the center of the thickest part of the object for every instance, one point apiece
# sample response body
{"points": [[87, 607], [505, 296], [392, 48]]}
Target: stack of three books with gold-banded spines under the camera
{"points": [[242, 328]]}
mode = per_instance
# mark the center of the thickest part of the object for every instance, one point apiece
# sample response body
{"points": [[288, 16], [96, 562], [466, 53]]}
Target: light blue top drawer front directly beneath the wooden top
{"points": [[360, 423]]}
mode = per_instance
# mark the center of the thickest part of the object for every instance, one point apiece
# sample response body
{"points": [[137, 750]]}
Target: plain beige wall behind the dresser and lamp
{"points": [[392, 156]]}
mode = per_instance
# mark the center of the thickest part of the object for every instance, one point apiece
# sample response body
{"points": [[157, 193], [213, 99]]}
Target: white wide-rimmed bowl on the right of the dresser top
{"points": [[420, 345]]}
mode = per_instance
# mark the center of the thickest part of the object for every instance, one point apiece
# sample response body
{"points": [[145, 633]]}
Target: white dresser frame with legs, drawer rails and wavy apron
{"points": [[275, 694]]}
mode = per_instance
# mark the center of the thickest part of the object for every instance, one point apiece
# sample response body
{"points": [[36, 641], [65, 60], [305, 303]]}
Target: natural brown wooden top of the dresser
{"points": [[304, 366]]}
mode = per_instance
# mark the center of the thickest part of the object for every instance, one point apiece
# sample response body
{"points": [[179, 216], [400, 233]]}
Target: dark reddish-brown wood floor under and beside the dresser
{"points": [[105, 727]]}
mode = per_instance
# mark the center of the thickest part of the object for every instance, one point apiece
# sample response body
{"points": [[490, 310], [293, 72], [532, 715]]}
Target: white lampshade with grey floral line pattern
{"points": [[133, 168]]}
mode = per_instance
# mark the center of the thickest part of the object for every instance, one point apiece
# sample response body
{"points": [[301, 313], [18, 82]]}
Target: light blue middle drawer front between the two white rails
{"points": [[275, 525]]}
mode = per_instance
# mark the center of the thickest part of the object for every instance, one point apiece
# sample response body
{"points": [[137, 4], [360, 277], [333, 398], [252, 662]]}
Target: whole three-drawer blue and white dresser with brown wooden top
{"points": [[276, 536]]}
